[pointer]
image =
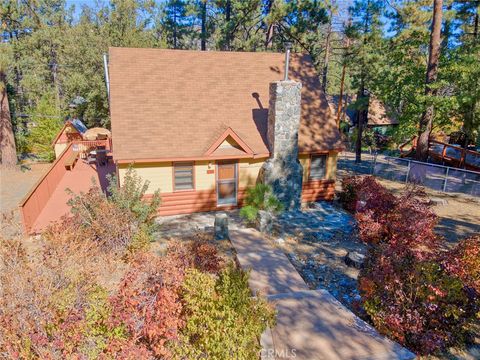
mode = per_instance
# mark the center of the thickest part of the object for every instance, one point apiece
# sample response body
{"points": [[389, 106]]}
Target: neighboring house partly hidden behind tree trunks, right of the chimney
{"points": [[378, 117]]}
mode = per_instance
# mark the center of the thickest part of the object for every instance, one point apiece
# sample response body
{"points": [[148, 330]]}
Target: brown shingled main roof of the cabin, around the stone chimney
{"points": [[172, 103]]}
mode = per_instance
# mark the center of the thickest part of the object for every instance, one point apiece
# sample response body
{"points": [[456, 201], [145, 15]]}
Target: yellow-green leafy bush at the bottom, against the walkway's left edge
{"points": [[223, 320]]}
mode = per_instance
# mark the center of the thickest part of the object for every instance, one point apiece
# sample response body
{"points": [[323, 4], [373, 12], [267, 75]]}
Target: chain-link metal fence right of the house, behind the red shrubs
{"points": [[433, 176]]}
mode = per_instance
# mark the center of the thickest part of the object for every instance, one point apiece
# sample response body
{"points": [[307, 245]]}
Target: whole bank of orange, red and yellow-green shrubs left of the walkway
{"points": [[59, 299]]}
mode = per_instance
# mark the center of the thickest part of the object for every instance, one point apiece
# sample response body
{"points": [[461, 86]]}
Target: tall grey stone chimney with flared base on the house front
{"points": [[282, 171]]}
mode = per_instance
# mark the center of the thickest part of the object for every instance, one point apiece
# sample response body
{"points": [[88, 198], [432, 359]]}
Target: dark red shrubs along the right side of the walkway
{"points": [[407, 291]]}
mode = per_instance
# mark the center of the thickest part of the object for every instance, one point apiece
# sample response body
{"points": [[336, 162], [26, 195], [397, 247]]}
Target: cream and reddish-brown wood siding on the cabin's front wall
{"points": [[203, 197]]}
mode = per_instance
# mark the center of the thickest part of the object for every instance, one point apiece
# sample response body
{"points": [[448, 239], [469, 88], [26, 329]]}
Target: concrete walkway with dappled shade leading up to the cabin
{"points": [[311, 324]]}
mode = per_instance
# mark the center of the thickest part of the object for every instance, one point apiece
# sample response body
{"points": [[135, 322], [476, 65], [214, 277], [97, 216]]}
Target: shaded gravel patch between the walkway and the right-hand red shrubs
{"points": [[317, 240]]}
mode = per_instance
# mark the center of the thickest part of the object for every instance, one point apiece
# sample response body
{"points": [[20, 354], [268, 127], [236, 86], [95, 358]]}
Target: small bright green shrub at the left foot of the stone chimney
{"points": [[260, 197]]}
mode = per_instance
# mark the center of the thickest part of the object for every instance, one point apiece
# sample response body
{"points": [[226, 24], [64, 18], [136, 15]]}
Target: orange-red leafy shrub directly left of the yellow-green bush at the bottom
{"points": [[148, 302]]}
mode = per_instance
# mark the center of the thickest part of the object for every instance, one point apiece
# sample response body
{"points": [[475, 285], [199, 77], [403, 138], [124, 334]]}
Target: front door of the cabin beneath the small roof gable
{"points": [[227, 183]]}
